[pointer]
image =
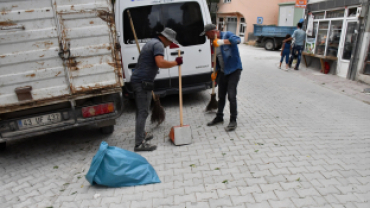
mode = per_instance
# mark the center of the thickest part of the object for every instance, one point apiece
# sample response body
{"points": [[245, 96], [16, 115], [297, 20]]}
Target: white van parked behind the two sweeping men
{"points": [[187, 18]]}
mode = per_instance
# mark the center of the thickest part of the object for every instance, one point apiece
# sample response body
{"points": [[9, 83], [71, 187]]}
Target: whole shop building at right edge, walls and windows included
{"points": [[341, 34]]}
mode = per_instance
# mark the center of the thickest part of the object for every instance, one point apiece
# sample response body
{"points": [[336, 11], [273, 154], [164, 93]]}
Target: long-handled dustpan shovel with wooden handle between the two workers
{"points": [[181, 135]]}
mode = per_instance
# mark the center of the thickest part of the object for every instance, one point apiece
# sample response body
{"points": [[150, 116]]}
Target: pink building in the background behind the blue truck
{"points": [[238, 16]]}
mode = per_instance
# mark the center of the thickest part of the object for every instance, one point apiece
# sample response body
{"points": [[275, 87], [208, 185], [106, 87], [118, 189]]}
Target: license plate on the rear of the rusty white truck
{"points": [[39, 120]]}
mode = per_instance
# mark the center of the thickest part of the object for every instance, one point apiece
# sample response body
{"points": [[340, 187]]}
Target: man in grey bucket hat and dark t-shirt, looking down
{"points": [[142, 81]]}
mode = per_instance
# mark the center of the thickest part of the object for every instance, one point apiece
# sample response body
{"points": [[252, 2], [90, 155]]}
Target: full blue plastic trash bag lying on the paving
{"points": [[116, 167]]}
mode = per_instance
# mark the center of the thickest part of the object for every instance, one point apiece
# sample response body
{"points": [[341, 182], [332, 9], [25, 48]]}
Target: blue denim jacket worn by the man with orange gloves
{"points": [[230, 53]]}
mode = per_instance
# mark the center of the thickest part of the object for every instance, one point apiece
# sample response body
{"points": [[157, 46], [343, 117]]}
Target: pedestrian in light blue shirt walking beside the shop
{"points": [[299, 37]]}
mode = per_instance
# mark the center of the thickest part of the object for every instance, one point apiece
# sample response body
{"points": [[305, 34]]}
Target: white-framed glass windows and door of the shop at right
{"points": [[333, 37]]}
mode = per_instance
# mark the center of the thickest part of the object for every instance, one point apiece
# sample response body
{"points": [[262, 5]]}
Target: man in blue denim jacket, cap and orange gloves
{"points": [[228, 70]]}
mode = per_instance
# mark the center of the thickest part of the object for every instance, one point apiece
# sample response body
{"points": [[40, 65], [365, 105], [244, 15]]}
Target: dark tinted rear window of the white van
{"points": [[184, 18]]}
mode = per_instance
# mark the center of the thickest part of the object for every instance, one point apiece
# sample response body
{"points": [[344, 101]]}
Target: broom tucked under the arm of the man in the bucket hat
{"points": [[158, 113]]}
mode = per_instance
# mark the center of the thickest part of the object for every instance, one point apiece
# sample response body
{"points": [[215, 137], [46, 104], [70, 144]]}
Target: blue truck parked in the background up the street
{"points": [[270, 36]]}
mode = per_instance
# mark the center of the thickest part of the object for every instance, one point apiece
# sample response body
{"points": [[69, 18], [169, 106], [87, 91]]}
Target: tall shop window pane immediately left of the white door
{"points": [[334, 38]]}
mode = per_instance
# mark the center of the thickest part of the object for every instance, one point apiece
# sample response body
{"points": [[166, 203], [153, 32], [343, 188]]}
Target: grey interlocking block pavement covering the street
{"points": [[298, 144]]}
